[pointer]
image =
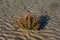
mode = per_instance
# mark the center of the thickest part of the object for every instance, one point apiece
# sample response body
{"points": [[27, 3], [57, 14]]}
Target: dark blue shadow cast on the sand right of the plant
{"points": [[43, 20]]}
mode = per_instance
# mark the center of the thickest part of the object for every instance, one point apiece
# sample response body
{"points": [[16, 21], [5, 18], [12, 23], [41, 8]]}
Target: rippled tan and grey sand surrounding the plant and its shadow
{"points": [[9, 9]]}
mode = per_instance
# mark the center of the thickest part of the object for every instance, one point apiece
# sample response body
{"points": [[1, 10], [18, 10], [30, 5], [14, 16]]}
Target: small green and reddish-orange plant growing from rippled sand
{"points": [[28, 21]]}
